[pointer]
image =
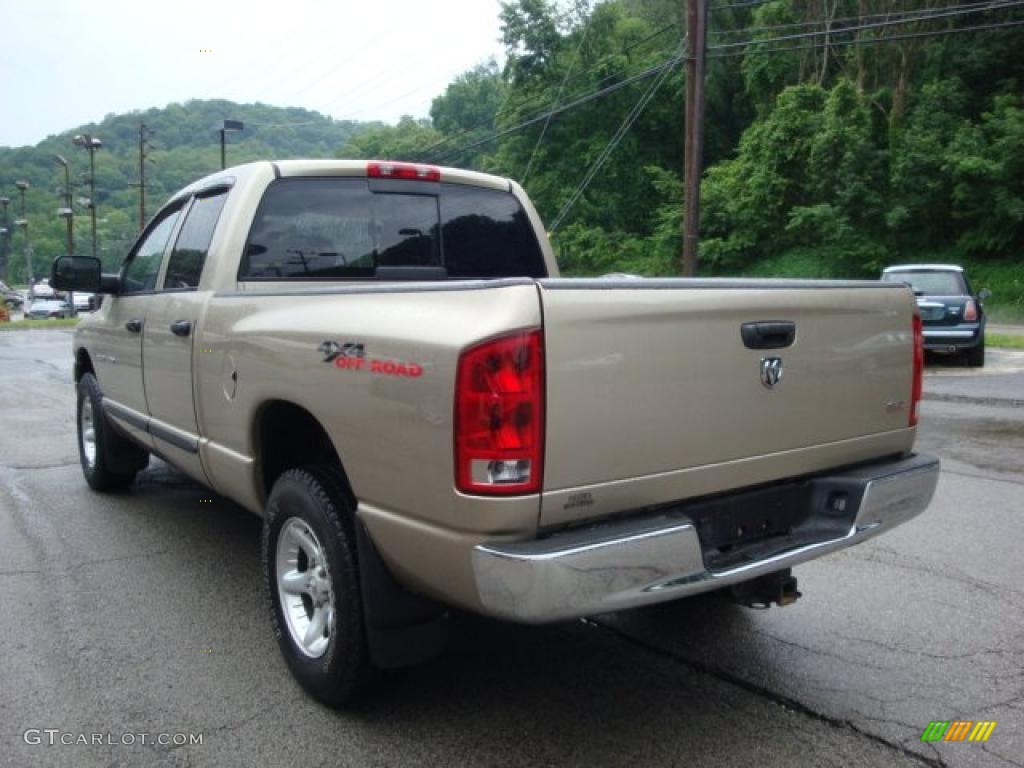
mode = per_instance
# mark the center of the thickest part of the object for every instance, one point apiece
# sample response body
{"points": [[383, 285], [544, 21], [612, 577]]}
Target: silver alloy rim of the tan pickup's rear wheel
{"points": [[305, 588]]}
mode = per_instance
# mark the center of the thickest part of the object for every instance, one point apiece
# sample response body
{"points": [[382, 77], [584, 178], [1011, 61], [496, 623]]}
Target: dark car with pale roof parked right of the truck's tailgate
{"points": [[954, 315]]}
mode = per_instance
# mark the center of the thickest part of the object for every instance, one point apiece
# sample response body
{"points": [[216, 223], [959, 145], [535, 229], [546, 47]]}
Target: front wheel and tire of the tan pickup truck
{"points": [[115, 460]]}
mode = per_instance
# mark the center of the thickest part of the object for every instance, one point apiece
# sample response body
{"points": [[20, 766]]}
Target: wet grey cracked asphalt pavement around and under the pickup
{"points": [[141, 613]]}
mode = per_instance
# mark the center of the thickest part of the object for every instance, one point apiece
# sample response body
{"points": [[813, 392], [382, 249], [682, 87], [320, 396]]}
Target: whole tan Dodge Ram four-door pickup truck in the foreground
{"points": [[381, 361]]}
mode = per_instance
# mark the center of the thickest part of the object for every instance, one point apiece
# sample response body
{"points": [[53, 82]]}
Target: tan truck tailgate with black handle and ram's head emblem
{"points": [[654, 396]]}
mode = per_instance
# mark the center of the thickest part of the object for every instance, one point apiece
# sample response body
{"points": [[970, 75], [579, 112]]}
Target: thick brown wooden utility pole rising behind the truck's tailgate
{"points": [[697, 39]]}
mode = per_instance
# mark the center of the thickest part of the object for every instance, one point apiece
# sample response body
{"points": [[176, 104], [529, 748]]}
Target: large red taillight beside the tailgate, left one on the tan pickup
{"points": [[499, 416]]}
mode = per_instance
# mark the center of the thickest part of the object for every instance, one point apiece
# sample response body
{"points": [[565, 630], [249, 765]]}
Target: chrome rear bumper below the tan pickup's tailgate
{"points": [[657, 559]]}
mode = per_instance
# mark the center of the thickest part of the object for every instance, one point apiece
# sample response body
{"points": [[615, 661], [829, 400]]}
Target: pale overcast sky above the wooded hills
{"points": [[64, 63]]}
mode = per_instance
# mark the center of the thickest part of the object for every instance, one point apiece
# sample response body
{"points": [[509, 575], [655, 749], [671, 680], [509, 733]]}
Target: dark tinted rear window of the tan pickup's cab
{"points": [[344, 229]]}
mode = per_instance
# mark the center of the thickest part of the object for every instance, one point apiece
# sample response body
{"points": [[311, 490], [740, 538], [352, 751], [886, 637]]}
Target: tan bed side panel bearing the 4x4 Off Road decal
{"points": [[393, 433]]}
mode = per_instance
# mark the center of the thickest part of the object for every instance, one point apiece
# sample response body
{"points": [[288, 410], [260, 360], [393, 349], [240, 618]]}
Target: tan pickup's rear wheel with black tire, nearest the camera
{"points": [[334, 667]]}
